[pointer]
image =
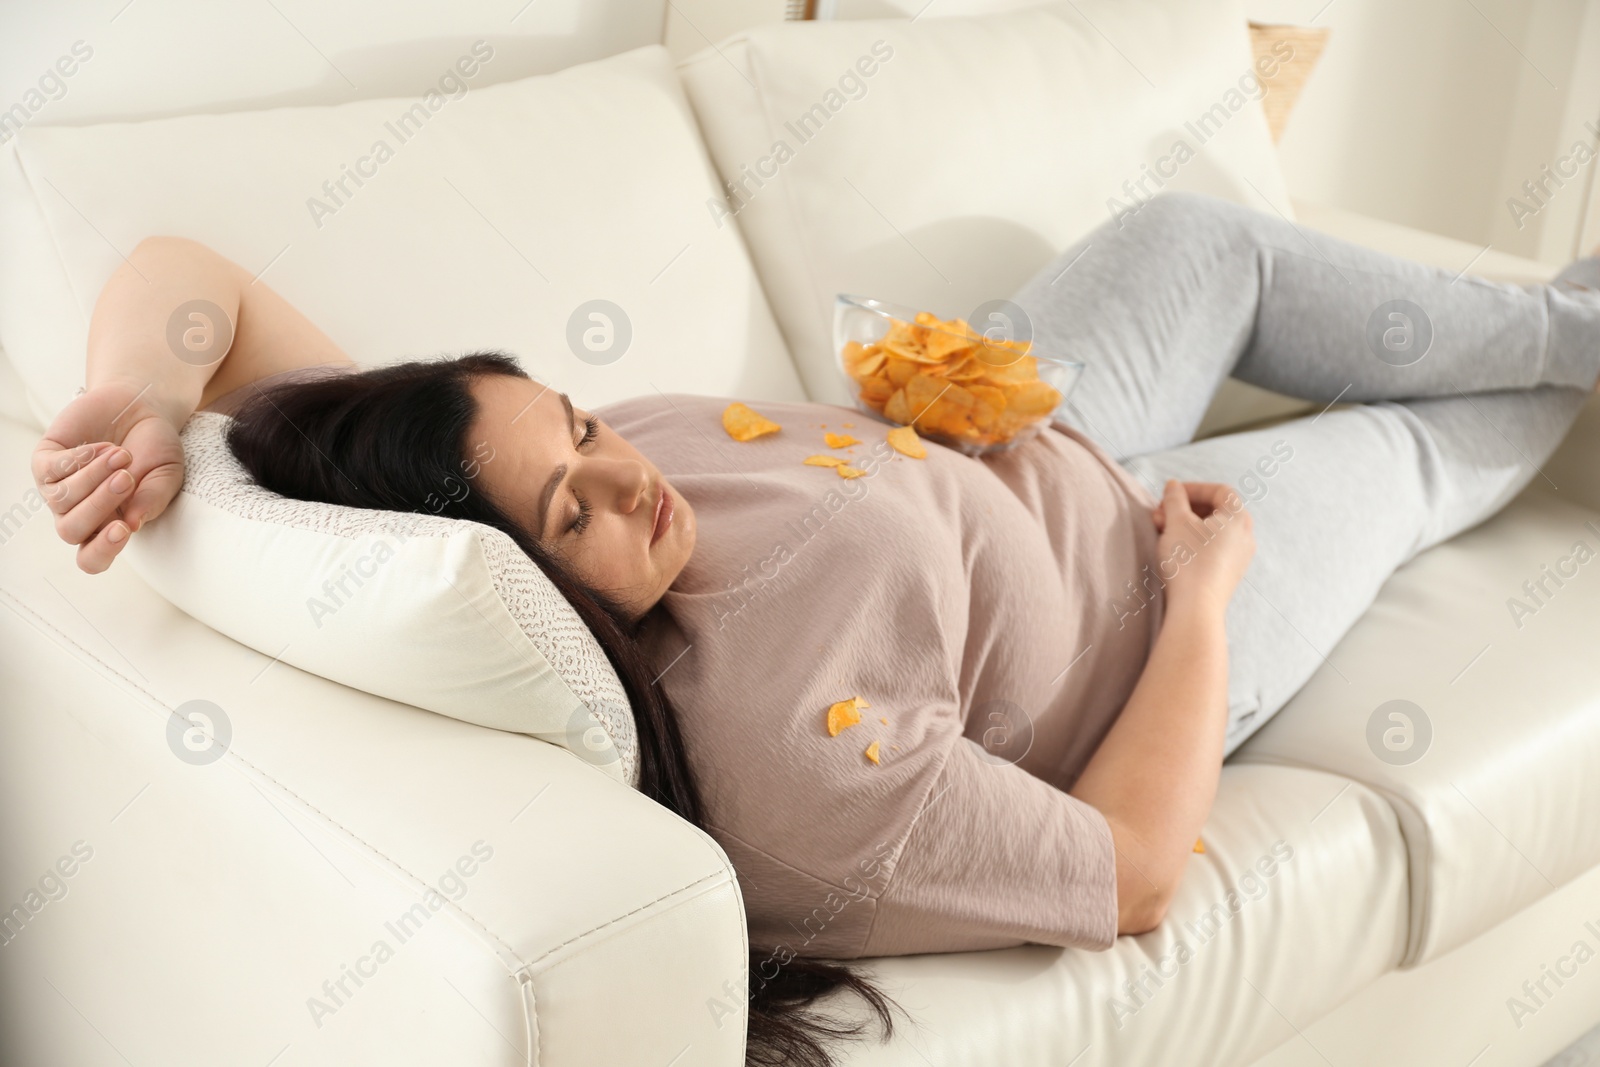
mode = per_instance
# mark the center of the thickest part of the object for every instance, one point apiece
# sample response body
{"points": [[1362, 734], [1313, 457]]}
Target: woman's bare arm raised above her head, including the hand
{"points": [[175, 329]]}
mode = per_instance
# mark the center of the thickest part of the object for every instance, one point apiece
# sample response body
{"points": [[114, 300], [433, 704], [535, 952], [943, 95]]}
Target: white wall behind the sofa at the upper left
{"points": [[153, 58]]}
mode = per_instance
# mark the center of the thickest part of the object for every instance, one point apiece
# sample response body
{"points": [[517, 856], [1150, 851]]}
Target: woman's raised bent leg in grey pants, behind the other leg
{"points": [[1191, 290]]}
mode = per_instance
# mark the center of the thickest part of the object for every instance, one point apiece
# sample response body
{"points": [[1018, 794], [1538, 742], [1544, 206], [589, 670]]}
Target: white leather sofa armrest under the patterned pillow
{"points": [[354, 879]]}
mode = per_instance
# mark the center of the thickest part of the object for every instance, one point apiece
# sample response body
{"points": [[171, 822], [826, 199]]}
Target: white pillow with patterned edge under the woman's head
{"points": [[433, 612]]}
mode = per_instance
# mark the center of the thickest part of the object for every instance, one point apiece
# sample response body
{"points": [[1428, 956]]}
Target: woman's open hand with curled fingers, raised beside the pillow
{"points": [[108, 465]]}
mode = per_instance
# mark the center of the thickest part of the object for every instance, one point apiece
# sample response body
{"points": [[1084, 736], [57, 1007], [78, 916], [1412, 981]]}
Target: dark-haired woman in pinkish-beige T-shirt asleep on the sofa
{"points": [[1055, 645]]}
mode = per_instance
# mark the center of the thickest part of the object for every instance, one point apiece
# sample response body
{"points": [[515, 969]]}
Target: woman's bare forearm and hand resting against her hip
{"points": [[1154, 777]]}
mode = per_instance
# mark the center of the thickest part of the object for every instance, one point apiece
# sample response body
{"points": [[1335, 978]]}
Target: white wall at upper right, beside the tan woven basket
{"points": [[1433, 113]]}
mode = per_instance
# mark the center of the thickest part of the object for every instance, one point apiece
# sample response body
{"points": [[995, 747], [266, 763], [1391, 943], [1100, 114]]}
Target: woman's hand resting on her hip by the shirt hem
{"points": [[1207, 540]]}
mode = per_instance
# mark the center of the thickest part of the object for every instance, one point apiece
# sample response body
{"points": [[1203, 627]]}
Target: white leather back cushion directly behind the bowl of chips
{"points": [[943, 162]]}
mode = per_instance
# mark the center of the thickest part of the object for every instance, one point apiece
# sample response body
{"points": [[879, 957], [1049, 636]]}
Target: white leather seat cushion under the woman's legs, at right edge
{"points": [[1470, 698]]}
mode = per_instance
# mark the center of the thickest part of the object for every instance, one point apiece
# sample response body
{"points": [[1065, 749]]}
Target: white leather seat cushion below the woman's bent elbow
{"points": [[1297, 905]]}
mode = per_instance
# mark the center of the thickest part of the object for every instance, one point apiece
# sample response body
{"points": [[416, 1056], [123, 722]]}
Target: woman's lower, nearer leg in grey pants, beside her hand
{"points": [[1345, 498]]}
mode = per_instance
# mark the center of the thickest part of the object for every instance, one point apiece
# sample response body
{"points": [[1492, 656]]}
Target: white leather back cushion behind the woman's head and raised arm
{"points": [[406, 228]]}
